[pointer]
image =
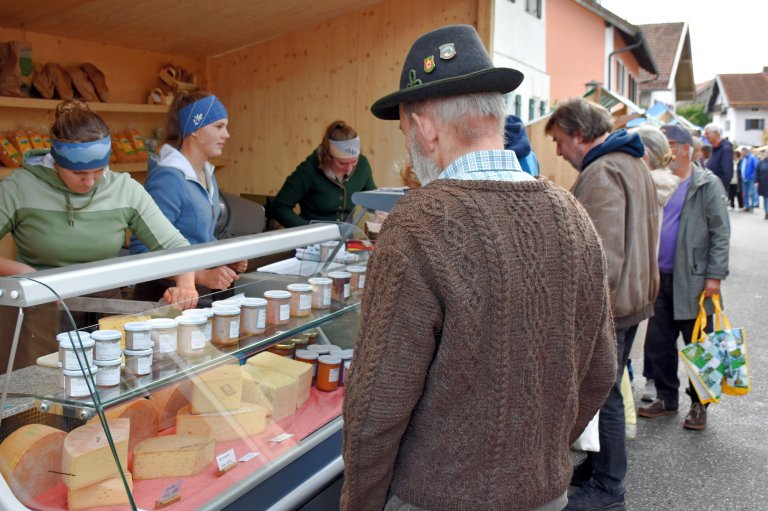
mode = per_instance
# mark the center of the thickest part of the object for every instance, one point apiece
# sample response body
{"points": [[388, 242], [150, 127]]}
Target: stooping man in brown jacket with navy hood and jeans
{"points": [[617, 190]]}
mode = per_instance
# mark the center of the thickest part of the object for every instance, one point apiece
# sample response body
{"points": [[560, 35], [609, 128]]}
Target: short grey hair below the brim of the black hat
{"points": [[455, 111]]}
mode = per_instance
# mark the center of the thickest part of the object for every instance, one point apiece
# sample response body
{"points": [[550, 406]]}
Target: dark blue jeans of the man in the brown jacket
{"points": [[609, 466]]}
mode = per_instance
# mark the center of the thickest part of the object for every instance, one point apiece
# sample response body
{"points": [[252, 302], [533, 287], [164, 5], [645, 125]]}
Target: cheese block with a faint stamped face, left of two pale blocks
{"points": [[216, 390]]}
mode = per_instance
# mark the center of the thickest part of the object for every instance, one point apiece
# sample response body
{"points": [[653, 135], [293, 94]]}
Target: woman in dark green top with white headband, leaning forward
{"points": [[323, 184]]}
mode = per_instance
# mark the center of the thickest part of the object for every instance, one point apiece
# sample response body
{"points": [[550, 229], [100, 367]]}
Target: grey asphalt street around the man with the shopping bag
{"points": [[724, 467]]}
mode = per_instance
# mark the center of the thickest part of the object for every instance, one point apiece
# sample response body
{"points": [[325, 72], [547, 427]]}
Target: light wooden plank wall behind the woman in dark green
{"points": [[282, 93]]}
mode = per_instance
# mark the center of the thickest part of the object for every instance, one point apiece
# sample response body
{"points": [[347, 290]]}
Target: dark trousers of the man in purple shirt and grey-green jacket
{"points": [[661, 343]]}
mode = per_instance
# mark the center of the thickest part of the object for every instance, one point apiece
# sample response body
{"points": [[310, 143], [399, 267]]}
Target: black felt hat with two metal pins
{"points": [[445, 62]]}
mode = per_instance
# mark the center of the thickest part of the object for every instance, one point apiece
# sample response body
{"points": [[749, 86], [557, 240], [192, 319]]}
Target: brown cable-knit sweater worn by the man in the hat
{"points": [[485, 346]]}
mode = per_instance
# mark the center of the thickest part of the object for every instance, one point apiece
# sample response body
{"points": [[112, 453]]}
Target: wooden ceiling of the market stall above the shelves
{"points": [[193, 27]]}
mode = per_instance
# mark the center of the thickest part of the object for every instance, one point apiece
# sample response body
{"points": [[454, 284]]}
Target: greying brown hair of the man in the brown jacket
{"points": [[579, 117]]}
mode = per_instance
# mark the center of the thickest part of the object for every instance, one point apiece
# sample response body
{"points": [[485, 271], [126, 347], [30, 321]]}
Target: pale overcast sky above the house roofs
{"points": [[726, 37]]}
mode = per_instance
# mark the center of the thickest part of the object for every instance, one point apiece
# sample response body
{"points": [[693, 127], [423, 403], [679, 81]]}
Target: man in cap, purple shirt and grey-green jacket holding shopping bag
{"points": [[693, 257]]}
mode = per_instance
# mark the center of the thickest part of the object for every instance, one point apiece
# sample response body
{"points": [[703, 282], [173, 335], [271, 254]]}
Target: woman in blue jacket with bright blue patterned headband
{"points": [[182, 183]]}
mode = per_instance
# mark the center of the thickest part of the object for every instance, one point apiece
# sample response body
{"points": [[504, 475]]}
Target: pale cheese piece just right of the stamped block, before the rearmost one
{"points": [[280, 390]]}
